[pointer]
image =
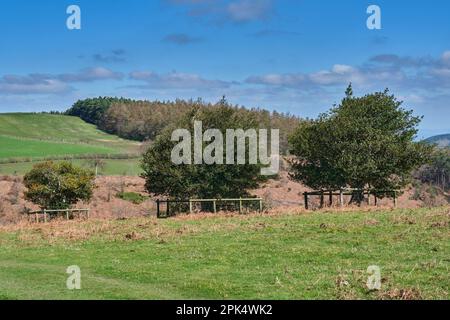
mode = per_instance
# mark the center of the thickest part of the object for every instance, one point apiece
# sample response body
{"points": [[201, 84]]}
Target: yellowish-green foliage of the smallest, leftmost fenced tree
{"points": [[58, 185]]}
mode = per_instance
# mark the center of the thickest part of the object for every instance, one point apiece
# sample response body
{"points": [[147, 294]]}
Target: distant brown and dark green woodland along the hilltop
{"points": [[145, 120]]}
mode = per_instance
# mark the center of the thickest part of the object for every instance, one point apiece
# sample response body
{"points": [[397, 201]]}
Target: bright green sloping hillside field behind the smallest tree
{"points": [[34, 136]]}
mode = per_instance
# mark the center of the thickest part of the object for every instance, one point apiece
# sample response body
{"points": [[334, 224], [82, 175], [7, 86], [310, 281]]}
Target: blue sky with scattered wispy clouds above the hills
{"points": [[293, 56]]}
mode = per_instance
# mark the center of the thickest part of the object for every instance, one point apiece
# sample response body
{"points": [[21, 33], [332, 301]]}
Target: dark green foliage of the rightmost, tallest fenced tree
{"points": [[364, 142]]}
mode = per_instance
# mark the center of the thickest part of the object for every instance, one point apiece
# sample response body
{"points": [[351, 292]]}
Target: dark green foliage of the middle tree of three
{"points": [[203, 181]]}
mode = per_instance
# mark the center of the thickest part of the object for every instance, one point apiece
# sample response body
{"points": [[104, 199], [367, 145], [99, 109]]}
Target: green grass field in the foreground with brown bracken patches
{"points": [[323, 255]]}
